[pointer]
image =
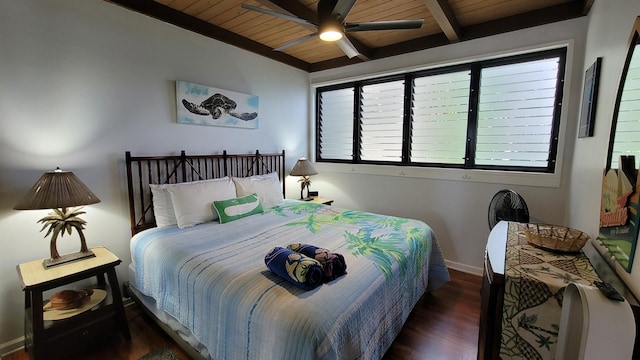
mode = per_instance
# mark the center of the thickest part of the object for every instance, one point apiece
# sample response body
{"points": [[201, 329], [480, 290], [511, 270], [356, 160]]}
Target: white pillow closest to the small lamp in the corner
{"points": [[267, 187]]}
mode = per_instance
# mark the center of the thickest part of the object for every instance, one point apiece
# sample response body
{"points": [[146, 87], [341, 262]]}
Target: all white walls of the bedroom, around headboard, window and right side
{"points": [[83, 81]]}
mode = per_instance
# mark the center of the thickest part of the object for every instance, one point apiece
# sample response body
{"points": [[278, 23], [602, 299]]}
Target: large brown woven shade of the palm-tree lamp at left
{"points": [[57, 189]]}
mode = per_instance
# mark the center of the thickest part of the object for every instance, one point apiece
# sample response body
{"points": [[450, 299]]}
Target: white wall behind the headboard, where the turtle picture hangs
{"points": [[83, 81]]}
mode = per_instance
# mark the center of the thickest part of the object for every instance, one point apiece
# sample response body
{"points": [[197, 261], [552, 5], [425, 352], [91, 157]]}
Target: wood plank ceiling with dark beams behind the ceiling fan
{"points": [[445, 22]]}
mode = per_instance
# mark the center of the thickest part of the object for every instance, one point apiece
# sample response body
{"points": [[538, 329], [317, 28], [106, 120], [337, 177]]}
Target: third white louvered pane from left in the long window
{"points": [[440, 115]]}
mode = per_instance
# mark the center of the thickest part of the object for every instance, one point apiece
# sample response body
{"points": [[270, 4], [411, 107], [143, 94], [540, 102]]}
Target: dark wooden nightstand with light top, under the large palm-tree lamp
{"points": [[53, 339]]}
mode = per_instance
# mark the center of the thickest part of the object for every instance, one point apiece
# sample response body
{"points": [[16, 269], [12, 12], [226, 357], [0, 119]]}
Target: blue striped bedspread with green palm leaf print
{"points": [[212, 278]]}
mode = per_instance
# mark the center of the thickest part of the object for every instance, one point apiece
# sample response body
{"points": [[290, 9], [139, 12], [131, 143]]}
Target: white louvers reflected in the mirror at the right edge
{"points": [[627, 137]]}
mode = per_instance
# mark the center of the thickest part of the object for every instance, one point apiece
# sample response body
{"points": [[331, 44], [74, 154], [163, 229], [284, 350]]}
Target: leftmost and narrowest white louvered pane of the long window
{"points": [[335, 108]]}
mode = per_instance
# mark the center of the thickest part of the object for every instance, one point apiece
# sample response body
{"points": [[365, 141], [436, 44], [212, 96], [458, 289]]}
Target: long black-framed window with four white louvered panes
{"points": [[501, 114]]}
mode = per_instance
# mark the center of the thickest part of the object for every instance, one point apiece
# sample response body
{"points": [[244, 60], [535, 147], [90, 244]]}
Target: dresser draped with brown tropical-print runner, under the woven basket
{"points": [[543, 280]]}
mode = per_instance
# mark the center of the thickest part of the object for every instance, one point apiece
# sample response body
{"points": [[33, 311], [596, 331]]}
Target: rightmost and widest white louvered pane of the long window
{"points": [[515, 114]]}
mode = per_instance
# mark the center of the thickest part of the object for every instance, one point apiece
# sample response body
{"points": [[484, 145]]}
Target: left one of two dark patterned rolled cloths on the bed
{"points": [[296, 268]]}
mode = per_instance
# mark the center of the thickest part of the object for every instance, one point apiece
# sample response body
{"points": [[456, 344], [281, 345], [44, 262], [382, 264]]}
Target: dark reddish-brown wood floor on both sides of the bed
{"points": [[444, 325]]}
